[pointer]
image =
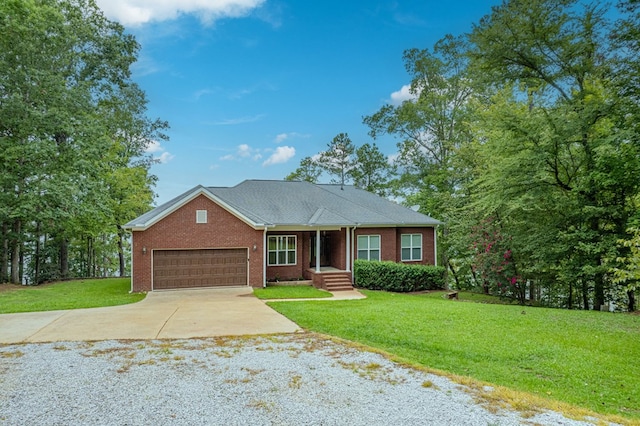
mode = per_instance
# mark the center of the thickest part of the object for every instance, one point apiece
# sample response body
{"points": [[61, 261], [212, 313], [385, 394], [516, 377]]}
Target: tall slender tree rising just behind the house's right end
{"points": [[432, 128]]}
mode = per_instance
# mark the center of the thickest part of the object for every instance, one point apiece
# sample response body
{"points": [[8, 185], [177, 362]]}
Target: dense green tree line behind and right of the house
{"points": [[523, 137]]}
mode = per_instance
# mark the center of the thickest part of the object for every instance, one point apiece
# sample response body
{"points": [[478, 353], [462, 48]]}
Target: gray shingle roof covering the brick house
{"points": [[282, 203]]}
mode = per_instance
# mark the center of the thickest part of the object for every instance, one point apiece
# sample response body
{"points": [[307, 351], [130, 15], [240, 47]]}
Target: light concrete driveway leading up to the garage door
{"points": [[161, 315]]}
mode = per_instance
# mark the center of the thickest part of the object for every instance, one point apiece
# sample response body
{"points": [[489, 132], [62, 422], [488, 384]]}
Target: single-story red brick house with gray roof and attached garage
{"points": [[259, 231]]}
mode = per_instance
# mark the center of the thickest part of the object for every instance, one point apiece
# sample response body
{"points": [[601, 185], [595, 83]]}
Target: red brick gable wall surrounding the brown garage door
{"points": [[179, 230]]}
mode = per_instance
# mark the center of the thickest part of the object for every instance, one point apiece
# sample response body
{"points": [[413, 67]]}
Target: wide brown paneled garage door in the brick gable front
{"points": [[199, 268]]}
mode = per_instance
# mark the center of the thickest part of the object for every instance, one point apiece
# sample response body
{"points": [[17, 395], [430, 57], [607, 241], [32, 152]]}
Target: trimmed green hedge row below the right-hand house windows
{"points": [[398, 277]]}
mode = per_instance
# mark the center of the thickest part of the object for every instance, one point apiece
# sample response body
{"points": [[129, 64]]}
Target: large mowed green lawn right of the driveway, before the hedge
{"points": [[586, 359]]}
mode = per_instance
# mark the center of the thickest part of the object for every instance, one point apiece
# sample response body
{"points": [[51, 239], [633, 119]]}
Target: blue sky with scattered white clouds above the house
{"points": [[250, 87]]}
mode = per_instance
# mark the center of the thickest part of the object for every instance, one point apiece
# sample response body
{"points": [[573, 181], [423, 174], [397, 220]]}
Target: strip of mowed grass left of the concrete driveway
{"points": [[90, 293]]}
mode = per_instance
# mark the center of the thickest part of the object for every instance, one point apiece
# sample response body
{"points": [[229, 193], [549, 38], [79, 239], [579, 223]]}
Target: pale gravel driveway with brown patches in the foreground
{"points": [[267, 380]]}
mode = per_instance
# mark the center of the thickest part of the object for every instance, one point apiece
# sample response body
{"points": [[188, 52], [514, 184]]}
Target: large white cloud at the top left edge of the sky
{"points": [[138, 12]]}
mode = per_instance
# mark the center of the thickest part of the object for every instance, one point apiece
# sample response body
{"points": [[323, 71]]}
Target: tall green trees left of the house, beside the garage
{"points": [[73, 134]]}
